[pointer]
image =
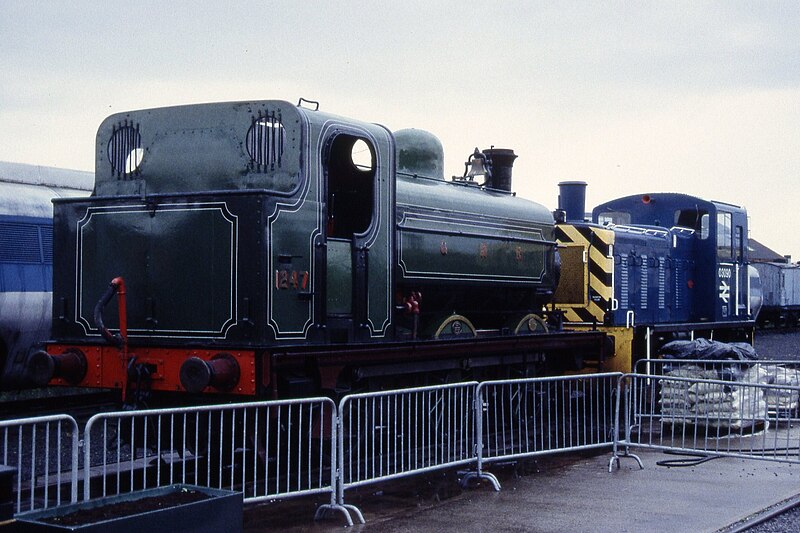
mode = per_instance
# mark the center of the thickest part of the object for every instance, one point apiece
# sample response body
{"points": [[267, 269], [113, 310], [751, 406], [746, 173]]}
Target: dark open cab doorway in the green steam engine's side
{"points": [[351, 179]]}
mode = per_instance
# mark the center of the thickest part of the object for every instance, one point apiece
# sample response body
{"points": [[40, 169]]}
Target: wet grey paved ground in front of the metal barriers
{"points": [[573, 494]]}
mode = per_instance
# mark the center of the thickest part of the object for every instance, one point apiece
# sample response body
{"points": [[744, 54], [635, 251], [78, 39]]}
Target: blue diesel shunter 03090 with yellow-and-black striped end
{"points": [[655, 267]]}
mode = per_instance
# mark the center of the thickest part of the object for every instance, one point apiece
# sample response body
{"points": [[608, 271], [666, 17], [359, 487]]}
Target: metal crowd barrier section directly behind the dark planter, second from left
{"points": [[266, 450]]}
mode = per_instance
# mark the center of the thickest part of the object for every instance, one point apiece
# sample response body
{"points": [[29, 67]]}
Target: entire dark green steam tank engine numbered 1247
{"points": [[265, 248]]}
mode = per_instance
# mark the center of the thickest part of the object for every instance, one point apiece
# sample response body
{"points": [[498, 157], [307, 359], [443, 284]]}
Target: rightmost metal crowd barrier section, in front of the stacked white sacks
{"points": [[720, 417]]}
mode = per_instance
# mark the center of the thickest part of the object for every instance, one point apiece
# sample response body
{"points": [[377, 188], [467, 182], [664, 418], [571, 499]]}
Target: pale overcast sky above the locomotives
{"points": [[632, 97]]}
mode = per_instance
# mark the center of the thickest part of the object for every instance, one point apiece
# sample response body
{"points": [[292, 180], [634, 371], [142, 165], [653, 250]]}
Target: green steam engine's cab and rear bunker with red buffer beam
{"points": [[238, 228]]}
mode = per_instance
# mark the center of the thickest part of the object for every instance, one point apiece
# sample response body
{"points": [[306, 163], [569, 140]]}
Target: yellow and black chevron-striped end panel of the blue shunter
{"points": [[593, 269]]}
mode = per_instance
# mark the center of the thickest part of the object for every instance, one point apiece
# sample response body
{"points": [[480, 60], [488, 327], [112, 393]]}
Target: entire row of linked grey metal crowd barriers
{"points": [[282, 449]]}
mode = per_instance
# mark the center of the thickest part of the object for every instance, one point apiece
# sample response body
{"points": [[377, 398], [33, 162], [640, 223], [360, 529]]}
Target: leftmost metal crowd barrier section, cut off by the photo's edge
{"points": [[44, 451]]}
